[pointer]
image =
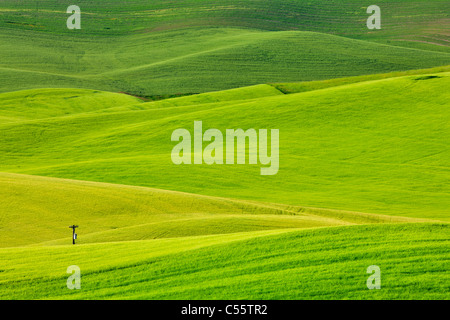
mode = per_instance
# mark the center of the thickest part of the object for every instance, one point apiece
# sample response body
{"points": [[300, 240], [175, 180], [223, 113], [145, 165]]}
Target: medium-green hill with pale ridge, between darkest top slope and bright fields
{"points": [[194, 60]]}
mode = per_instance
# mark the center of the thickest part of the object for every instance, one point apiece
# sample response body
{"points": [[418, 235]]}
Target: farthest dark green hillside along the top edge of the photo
{"points": [[405, 22]]}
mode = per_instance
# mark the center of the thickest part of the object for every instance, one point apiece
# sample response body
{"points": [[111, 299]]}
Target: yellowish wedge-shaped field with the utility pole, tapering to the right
{"points": [[38, 210]]}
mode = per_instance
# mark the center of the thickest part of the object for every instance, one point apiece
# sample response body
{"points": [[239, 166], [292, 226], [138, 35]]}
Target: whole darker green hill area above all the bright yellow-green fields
{"points": [[163, 48]]}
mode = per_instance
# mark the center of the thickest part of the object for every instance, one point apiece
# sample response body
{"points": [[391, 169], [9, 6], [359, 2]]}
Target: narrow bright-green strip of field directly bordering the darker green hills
{"points": [[35, 104]]}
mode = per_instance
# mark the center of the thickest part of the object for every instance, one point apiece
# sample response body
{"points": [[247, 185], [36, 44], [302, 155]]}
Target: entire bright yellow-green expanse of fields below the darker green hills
{"points": [[363, 181]]}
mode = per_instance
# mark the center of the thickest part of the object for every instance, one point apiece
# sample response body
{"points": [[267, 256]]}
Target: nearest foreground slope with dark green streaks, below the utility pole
{"points": [[327, 263]]}
